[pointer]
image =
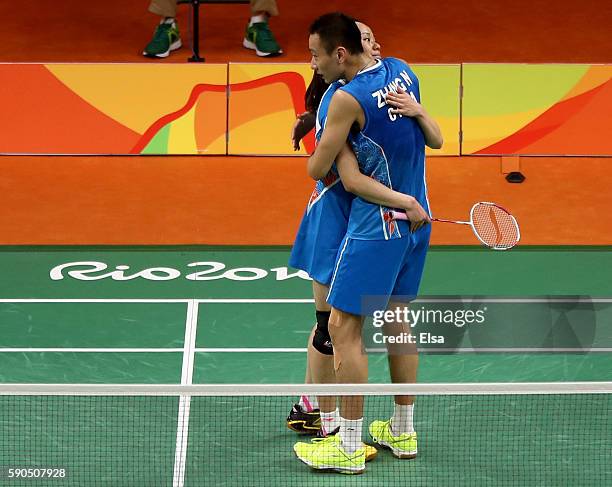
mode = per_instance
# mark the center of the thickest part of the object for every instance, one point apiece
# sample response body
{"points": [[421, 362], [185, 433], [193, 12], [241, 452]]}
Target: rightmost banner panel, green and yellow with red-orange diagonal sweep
{"points": [[542, 109]]}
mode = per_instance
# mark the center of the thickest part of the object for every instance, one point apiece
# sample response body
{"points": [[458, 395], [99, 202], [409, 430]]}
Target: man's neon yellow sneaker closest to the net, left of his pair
{"points": [[328, 454]]}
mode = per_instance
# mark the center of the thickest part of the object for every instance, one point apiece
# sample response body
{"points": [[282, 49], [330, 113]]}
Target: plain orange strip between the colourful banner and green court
{"points": [[259, 201]]}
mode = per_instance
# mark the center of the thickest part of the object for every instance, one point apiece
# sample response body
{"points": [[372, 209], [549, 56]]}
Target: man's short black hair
{"points": [[337, 29]]}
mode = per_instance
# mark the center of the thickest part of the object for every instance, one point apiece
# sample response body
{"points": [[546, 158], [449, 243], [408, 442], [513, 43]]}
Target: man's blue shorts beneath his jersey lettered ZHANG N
{"points": [[368, 272]]}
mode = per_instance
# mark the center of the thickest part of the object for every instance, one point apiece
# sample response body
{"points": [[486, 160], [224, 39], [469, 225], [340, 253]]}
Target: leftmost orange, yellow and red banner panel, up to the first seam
{"points": [[113, 108]]}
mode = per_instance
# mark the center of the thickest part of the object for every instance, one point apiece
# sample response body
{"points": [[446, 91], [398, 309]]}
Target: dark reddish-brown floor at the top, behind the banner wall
{"points": [[435, 31]]}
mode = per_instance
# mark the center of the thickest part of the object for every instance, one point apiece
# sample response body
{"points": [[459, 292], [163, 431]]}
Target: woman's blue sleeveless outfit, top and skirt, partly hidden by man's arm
{"points": [[325, 220]]}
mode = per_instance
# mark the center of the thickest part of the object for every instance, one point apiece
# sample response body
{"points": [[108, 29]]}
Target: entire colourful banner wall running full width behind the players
{"points": [[547, 109]]}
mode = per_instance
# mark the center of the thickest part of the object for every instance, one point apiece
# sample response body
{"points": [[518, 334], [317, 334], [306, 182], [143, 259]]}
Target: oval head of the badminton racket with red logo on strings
{"points": [[494, 226]]}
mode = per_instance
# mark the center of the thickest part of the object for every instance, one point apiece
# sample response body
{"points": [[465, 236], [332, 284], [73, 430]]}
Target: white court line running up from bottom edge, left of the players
{"points": [[182, 427]]}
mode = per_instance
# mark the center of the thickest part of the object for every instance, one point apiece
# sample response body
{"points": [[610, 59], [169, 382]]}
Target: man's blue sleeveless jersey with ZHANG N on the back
{"points": [[390, 148]]}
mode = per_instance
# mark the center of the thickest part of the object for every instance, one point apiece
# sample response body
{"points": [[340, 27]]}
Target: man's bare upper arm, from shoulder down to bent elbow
{"points": [[343, 112]]}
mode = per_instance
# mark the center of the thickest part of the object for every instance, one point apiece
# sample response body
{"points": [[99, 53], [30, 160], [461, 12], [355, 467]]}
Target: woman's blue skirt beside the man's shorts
{"points": [[320, 234]]}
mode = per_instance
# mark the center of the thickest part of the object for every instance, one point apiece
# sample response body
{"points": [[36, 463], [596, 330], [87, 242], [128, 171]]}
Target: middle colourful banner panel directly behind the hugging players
{"points": [[265, 99]]}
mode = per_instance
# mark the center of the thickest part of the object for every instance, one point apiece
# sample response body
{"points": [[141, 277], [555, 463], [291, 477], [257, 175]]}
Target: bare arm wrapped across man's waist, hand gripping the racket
{"points": [[371, 190]]}
